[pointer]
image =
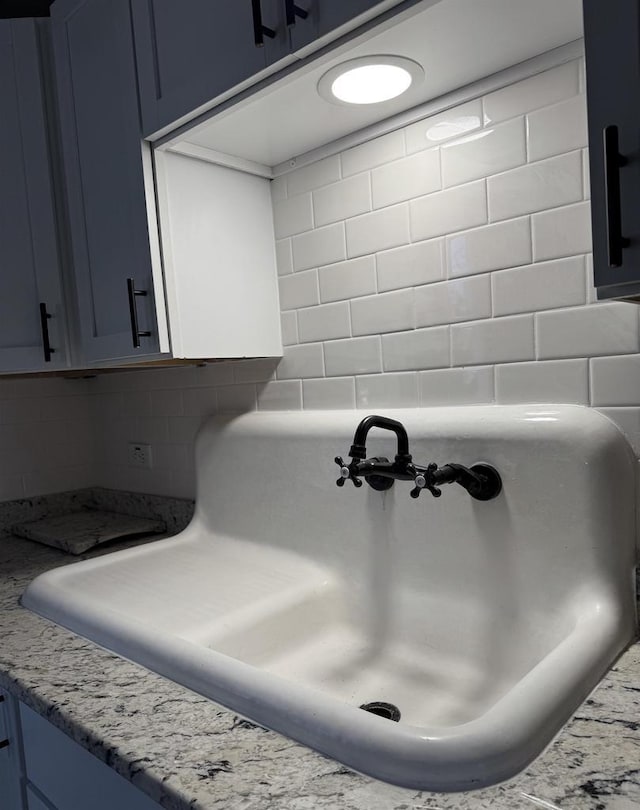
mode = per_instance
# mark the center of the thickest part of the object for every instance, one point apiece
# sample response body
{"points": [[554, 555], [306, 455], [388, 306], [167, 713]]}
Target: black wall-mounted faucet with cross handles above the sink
{"points": [[481, 481]]}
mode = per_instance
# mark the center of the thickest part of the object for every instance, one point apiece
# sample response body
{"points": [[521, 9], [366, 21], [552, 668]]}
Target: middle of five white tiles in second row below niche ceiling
{"points": [[406, 178]]}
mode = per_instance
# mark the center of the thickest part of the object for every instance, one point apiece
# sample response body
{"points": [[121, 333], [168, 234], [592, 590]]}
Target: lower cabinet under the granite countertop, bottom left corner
{"points": [[43, 769]]}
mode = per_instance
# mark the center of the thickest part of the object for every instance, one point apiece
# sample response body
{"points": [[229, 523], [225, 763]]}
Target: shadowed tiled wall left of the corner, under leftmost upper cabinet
{"points": [[46, 437]]}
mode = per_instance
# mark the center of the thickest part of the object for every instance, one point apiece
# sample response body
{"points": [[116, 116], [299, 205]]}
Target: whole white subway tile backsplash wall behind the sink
{"points": [[415, 272]]}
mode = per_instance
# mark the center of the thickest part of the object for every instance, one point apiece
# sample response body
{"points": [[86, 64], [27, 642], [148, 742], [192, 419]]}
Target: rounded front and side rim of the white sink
{"points": [[418, 757]]}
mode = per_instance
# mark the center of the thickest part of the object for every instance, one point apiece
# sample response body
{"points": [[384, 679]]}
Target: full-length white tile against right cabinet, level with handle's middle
{"points": [[535, 187]]}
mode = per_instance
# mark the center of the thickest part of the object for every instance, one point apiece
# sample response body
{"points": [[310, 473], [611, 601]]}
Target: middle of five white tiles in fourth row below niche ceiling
{"points": [[410, 265]]}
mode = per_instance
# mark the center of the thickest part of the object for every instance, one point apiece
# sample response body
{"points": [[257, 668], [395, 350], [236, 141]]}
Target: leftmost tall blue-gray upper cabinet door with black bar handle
{"points": [[31, 306]]}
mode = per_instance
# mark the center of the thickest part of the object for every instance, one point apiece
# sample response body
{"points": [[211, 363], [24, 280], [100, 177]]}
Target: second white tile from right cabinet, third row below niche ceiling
{"points": [[447, 211]]}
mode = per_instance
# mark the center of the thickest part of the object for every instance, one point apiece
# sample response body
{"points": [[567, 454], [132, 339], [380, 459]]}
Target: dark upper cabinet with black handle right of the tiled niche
{"points": [[612, 47]]}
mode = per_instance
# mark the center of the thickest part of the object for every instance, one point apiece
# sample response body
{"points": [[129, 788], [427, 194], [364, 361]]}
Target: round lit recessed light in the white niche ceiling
{"points": [[369, 79]]}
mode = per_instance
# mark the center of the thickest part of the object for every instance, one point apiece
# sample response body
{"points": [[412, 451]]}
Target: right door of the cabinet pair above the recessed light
{"points": [[323, 16]]}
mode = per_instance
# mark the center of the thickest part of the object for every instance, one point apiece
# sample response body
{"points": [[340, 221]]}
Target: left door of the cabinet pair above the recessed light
{"points": [[192, 51]]}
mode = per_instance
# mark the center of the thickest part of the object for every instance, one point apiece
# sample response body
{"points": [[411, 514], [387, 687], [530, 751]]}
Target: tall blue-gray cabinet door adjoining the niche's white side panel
{"points": [[108, 215]]}
